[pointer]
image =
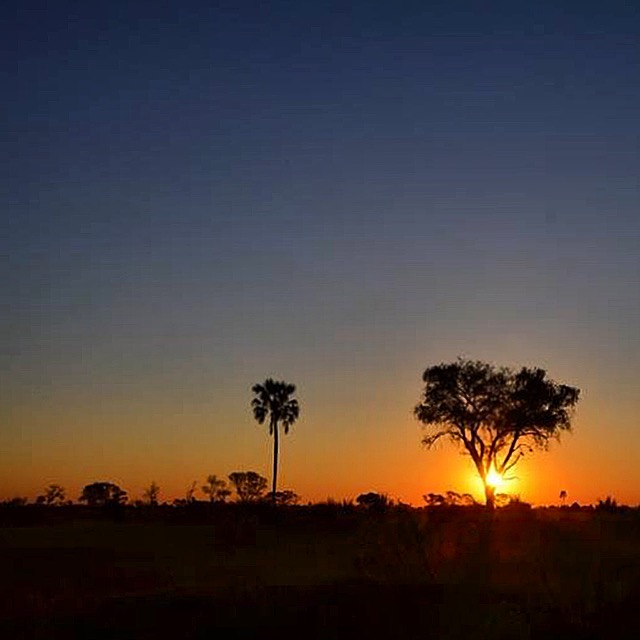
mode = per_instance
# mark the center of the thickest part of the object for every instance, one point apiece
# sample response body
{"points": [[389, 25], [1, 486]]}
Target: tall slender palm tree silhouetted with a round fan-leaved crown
{"points": [[272, 399]]}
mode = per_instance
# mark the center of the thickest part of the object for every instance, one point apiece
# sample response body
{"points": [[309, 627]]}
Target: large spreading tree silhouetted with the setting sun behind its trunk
{"points": [[496, 415]]}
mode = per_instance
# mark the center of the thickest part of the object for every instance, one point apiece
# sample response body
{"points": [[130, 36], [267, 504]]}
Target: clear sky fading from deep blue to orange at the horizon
{"points": [[196, 196]]}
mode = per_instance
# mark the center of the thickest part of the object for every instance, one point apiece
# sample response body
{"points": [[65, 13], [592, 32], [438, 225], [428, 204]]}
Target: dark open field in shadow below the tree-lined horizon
{"points": [[333, 572]]}
